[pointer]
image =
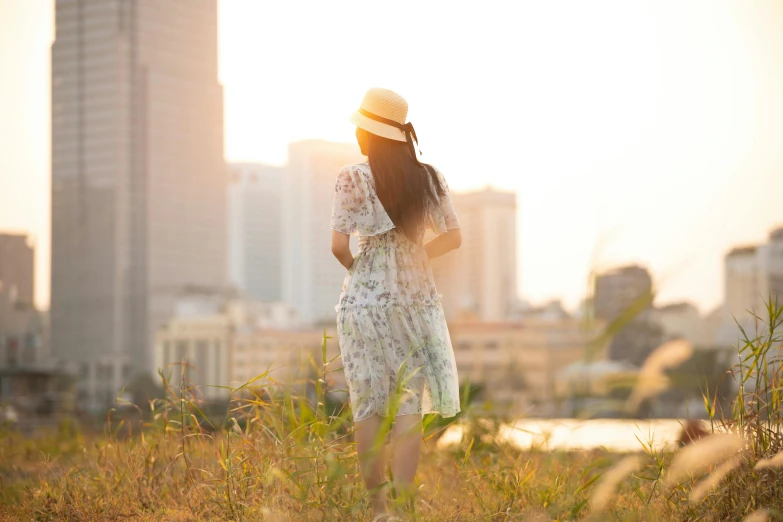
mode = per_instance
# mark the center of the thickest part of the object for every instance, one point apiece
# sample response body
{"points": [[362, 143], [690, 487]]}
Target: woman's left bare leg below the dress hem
{"points": [[372, 460]]}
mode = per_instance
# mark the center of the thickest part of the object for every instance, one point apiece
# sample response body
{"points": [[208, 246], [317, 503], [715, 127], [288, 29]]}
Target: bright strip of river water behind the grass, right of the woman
{"points": [[618, 435]]}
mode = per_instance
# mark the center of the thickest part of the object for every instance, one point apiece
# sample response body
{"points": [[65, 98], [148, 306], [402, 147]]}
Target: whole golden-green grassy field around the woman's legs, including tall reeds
{"points": [[283, 457]]}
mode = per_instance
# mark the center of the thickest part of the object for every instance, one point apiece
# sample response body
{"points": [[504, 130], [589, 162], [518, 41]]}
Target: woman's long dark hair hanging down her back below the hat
{"points": [[407, 189]]}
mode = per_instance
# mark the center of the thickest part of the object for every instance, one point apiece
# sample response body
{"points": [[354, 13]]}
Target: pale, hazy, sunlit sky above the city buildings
{"points": [[632, 131]]}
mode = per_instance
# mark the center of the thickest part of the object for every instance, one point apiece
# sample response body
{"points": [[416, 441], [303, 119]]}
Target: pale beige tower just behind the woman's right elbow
{"points": [[479, 279]]}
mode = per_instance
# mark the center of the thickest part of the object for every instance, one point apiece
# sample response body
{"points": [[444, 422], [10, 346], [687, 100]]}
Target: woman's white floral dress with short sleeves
{"points": [[395, 346]]}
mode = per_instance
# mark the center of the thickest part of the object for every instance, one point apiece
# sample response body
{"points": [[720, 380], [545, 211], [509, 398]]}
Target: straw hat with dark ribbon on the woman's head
{"points": [[383, 112]]}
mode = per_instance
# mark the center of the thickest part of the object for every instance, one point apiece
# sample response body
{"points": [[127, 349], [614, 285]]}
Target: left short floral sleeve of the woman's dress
{"points": [[356, 209]]}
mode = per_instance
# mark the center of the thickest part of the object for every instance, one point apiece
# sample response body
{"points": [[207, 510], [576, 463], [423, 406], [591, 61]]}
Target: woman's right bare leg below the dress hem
{"points": [[406, 452]]}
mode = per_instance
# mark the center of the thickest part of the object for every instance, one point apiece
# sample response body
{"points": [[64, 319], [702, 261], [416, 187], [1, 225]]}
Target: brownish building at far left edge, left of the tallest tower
{"points": [[22, 327]]}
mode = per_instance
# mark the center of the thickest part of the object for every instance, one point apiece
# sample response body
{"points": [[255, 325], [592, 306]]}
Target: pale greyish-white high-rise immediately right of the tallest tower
{"points": [[255, 241]]}
